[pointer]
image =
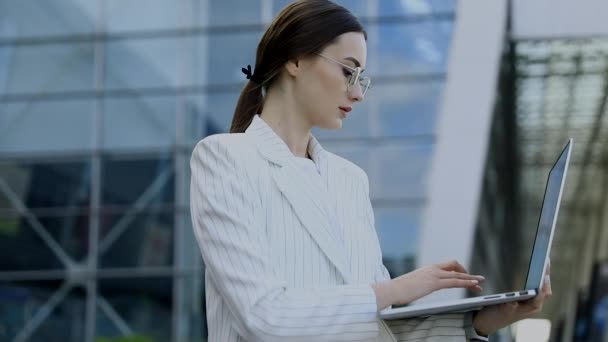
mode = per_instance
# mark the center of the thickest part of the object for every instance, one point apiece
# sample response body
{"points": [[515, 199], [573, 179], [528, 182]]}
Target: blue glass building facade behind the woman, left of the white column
{"points": [[101, 104]]}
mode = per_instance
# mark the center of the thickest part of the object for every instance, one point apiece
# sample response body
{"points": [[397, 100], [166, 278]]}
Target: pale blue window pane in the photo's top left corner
{"points": [[22, 18]]}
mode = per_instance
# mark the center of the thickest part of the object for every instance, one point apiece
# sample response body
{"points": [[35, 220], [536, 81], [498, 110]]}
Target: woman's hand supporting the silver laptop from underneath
{"points": [[495, 317]]}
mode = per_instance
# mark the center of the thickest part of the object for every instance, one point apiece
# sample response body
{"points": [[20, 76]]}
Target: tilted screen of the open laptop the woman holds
{"points": [[547, 220]]}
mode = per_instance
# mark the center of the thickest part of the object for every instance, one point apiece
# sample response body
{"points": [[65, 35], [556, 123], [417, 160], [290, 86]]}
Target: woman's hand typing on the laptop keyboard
{"points": [[423, 281]]}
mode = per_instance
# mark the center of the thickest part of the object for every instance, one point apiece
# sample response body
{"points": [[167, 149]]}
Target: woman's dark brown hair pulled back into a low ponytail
{"points": [[301, 29]]}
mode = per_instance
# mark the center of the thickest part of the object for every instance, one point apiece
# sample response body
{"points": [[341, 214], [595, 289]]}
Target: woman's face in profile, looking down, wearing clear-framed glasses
{"points": [[321, 88]]}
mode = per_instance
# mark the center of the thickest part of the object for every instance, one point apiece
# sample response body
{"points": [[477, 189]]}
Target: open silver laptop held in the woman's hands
{"points": [[538, 260]]}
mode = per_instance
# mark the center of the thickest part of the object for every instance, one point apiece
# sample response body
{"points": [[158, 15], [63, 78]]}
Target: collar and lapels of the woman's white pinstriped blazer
{"points": [[308, 199]]}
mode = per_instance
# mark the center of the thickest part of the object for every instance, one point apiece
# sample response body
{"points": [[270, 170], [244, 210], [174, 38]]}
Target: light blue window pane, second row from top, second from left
{"points": [[144, 62]]}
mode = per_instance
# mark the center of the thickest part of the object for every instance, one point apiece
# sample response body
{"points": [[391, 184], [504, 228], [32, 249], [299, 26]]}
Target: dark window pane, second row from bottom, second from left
{"points": [[131, 239]]}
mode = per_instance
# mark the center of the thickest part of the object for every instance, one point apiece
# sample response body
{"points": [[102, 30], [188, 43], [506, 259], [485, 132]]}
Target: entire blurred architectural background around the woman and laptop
{"points": [[102, 102]]}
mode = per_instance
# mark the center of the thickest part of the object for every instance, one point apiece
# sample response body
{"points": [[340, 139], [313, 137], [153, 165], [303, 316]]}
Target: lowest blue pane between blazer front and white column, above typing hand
{"points": [[398, 233]]}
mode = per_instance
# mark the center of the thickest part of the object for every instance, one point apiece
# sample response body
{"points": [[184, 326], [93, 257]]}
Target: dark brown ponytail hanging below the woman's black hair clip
{"points": [[250, 103]]}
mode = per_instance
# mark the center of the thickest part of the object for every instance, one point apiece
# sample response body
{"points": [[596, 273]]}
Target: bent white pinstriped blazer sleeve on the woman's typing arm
{"points": [[224, 204]]}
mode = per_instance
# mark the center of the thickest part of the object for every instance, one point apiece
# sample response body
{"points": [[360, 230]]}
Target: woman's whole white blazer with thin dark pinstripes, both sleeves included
{"points": [[289, 258]]}
